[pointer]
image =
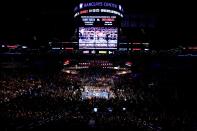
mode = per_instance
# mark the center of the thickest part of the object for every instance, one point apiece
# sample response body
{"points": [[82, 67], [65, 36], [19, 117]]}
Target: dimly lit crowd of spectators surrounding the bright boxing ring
{"points": [[32, 101]]}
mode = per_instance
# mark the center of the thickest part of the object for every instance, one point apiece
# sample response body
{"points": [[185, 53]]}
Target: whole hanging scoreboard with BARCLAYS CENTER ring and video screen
{"points": [[98, 24]]}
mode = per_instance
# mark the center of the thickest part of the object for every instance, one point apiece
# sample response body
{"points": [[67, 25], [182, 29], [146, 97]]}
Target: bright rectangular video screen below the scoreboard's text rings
{"points": [[98, 37]]}
